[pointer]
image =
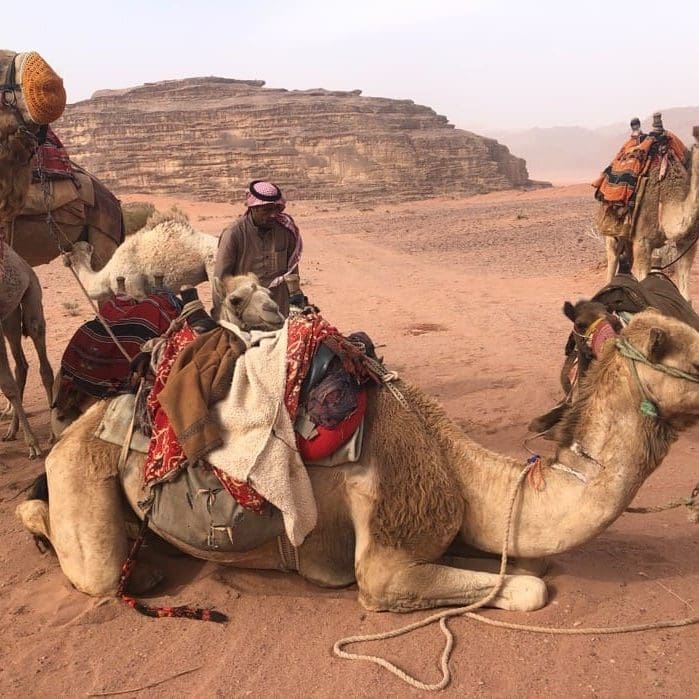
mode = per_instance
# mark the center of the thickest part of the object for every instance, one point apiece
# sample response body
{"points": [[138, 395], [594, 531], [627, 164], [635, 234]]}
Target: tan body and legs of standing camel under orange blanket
{"points": [[668, 212]]}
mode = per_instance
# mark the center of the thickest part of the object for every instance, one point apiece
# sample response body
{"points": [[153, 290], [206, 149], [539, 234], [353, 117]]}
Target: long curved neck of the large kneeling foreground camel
{"points": [[611, 450]]}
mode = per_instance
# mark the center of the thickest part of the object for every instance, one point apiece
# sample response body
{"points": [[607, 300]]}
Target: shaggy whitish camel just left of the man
{"points": [[167, 247]]}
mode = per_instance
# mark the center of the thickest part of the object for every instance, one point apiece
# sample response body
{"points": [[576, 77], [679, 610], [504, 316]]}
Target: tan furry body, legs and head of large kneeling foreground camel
{"points": [[420, 484]]}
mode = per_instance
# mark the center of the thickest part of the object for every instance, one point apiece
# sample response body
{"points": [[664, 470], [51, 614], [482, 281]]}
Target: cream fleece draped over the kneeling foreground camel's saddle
{"points": [[259, 445]]}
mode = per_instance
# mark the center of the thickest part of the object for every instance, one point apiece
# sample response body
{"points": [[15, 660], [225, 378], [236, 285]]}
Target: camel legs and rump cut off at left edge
{"points": [[21, 312]]}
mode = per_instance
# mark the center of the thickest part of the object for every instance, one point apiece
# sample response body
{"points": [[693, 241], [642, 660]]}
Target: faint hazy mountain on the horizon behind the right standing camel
{"points": [[564, 155]]}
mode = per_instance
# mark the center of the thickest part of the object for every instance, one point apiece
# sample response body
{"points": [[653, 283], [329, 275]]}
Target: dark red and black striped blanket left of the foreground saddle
{"points": [[92, 362]]}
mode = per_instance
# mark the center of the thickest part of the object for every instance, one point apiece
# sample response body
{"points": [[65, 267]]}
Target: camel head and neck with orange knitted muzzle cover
{"points": [[33, 96]]}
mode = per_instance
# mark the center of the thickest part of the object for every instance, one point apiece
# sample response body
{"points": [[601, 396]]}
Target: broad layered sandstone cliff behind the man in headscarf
{"points": [[206, 138]]}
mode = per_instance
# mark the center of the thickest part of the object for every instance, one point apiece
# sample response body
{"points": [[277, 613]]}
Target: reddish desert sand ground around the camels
{"points": [[464, 297]]}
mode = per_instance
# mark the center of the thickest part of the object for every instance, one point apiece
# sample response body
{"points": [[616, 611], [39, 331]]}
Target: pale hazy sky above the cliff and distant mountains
{"points": [[486, 65]]}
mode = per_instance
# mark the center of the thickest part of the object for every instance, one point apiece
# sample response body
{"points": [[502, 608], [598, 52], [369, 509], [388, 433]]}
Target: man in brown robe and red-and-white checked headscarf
{"points": [[264, 241]]}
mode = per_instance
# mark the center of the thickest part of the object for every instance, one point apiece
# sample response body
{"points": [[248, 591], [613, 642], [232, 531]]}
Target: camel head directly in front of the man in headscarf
{"points": [[246, 303]]}
